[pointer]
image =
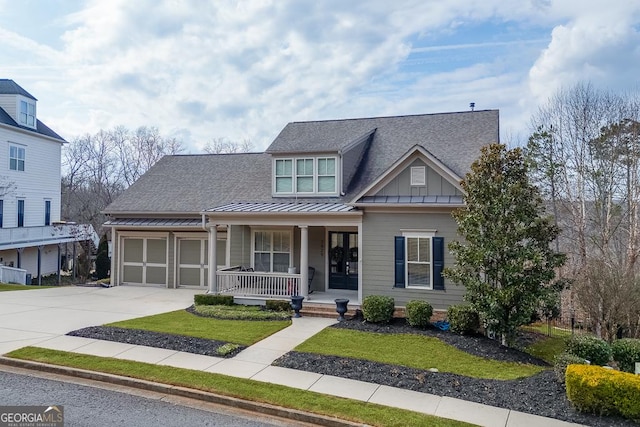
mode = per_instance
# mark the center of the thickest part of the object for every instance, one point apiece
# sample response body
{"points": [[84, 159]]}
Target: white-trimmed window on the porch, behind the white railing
{"points": [[271, 250]]}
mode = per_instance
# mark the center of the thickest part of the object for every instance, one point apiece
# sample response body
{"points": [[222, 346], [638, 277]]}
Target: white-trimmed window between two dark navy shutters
{"points": [[418, 247]]}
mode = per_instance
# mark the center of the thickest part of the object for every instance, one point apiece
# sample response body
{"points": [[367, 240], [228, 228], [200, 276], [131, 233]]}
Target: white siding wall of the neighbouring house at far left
{"points": [[40, 180]]}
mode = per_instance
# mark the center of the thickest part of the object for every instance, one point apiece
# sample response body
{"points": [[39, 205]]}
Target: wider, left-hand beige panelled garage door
{"points": [[144, 261]]}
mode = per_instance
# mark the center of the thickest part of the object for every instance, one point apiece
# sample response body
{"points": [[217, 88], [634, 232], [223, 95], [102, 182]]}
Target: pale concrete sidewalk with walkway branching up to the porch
{"points": [[255, 363]]}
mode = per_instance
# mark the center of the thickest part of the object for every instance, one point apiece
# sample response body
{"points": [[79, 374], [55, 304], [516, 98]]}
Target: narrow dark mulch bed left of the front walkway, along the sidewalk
{"points": [[155, 339]]}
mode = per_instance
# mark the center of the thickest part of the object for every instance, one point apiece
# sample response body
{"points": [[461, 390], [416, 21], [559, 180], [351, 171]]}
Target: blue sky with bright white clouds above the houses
{"points": [[204, 70]]}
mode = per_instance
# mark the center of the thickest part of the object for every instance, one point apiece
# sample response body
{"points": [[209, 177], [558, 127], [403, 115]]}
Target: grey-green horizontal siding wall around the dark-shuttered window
{"points": [[379, 231]]}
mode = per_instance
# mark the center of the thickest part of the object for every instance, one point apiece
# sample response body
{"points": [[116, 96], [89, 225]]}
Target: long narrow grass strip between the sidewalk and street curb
{"points": [[303, 400]]}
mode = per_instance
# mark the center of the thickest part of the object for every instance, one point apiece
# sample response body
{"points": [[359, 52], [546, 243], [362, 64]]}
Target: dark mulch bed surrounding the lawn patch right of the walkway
{"points": [[540, 394]]}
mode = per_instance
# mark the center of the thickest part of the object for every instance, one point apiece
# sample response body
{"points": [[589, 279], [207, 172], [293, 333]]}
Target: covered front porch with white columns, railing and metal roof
{"points": [[305, 249]]}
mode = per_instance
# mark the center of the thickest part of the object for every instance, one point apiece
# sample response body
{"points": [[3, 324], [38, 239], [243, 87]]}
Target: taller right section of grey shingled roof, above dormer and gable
{"points": [[453, 138]]}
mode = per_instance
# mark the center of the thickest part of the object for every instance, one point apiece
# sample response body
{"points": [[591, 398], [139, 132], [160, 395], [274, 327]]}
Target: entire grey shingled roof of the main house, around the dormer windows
{"points": [[194, 183]]}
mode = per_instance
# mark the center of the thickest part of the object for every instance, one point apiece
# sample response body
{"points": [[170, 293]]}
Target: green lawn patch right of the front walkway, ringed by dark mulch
{"points": [[412, 350]]}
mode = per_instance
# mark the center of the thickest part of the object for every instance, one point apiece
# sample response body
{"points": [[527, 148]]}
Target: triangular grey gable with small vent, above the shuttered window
{"points": [[434, 184]]}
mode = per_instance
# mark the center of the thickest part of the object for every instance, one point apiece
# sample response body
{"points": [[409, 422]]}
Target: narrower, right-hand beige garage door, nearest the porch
{"points": [[192, 262]]}
